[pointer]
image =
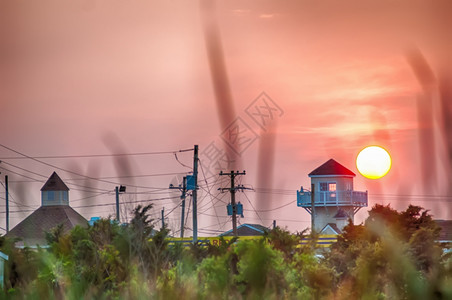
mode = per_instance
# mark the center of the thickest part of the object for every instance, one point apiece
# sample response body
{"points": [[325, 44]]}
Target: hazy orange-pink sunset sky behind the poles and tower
{"points": [[94, 77]]}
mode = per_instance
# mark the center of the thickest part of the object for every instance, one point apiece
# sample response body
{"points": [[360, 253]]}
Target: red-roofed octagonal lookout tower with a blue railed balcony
{"points": [[334, 201]]}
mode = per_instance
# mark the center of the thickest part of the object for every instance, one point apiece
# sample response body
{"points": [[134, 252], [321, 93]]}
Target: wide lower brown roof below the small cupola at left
{"points": [[32, 229]]}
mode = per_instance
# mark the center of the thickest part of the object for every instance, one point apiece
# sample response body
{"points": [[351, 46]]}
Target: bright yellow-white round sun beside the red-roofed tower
{"points": [[373, 162]]}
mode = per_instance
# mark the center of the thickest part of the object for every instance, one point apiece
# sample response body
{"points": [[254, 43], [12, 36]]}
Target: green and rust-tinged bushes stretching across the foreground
{"points": [[393, 255]]}
